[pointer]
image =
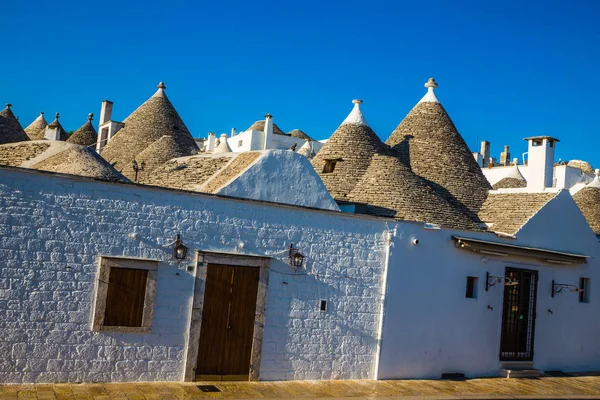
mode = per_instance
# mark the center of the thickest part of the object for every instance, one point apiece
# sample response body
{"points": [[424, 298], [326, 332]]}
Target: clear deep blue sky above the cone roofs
{"points": [[506, 69]]}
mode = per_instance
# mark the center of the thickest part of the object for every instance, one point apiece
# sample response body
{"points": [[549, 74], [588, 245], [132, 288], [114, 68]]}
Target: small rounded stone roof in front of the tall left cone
{"points": [[164, 149]]}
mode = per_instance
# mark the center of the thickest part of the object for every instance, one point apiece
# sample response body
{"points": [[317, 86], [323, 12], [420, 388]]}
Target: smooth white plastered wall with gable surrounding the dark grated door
{"points": [[430, 327]]}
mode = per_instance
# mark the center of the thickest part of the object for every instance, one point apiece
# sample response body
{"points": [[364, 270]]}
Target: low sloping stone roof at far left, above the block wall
{"points": [[58, 156]]}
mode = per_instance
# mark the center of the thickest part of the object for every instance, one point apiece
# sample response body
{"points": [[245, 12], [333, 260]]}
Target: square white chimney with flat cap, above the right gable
{"points": [[540, 162]]}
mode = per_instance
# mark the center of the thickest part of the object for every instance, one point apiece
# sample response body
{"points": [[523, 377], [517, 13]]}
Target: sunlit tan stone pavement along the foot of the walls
{"points": [[546, 387]]}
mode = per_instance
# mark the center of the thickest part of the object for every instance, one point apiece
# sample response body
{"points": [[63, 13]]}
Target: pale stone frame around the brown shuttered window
{"points": [[102, 279]]}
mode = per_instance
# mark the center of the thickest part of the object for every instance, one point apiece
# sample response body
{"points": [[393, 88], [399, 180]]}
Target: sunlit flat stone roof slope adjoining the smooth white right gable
{"points": [[508, 212]]}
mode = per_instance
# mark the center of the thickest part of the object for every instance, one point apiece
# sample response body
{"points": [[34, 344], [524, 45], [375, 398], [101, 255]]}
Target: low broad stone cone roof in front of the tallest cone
{"points": [[391, 189]]}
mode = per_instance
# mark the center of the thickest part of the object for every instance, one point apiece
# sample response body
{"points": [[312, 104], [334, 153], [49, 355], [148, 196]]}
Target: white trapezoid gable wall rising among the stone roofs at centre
{"points": [[292, 180]]}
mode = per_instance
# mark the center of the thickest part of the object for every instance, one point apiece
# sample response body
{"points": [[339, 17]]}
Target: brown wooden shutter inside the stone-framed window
{"points": [[125, 297]]}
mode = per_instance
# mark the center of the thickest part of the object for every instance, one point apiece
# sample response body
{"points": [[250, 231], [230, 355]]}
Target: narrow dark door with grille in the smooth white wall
{"points": [[518, 315]]}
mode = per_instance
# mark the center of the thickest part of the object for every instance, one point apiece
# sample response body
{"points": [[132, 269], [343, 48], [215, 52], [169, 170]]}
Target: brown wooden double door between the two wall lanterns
{"points": [[227, 326]]}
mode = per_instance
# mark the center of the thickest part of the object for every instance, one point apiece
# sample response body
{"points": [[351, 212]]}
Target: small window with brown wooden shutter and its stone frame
{"points": [[125, 295]]}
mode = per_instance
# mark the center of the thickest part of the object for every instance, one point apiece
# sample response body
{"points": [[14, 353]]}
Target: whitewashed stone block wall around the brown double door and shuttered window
{"points": [[53, 228]]}
